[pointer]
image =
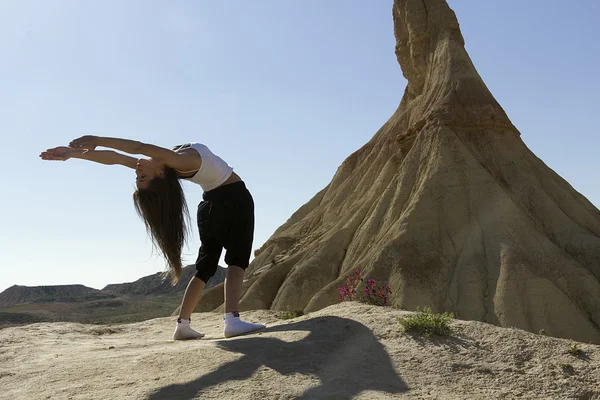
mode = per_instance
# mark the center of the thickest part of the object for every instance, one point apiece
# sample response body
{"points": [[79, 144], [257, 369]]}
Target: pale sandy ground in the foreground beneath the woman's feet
{"points": [[345, 351]]}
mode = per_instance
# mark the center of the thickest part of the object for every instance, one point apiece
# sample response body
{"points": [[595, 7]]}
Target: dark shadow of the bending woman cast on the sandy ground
{"points": [[344, 354]]}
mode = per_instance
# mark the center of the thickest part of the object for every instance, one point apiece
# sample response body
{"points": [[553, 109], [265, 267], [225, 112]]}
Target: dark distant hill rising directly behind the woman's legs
{"points": [[154, 285]]}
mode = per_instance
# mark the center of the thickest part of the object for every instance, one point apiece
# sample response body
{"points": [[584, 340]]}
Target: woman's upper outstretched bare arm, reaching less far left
{"points": [[182, 162]]}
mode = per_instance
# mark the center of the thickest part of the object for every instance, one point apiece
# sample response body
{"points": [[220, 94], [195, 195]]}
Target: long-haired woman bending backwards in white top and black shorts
{"points": [[225, 217]]}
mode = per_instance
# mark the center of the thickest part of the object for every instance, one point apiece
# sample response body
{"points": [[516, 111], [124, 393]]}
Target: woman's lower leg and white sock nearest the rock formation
{"points": [[233, 291]]}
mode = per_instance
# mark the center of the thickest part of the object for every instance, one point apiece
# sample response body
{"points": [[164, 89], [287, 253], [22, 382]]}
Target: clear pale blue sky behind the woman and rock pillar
{"points": [[283, 90]]}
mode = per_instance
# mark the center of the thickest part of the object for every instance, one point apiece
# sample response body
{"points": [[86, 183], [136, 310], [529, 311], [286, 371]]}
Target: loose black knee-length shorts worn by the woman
{"points": [[225, 220]]}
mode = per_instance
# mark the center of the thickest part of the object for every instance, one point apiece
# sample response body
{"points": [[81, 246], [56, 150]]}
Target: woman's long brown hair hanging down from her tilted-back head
{"points": [[164, 210]]}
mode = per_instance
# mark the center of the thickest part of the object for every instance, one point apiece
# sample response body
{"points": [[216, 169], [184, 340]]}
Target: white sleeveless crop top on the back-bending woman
{"points": [[213, 171]]}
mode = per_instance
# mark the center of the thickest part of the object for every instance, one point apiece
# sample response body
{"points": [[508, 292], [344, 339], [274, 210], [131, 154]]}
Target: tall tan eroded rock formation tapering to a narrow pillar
{"points": [[446, 204]]}
